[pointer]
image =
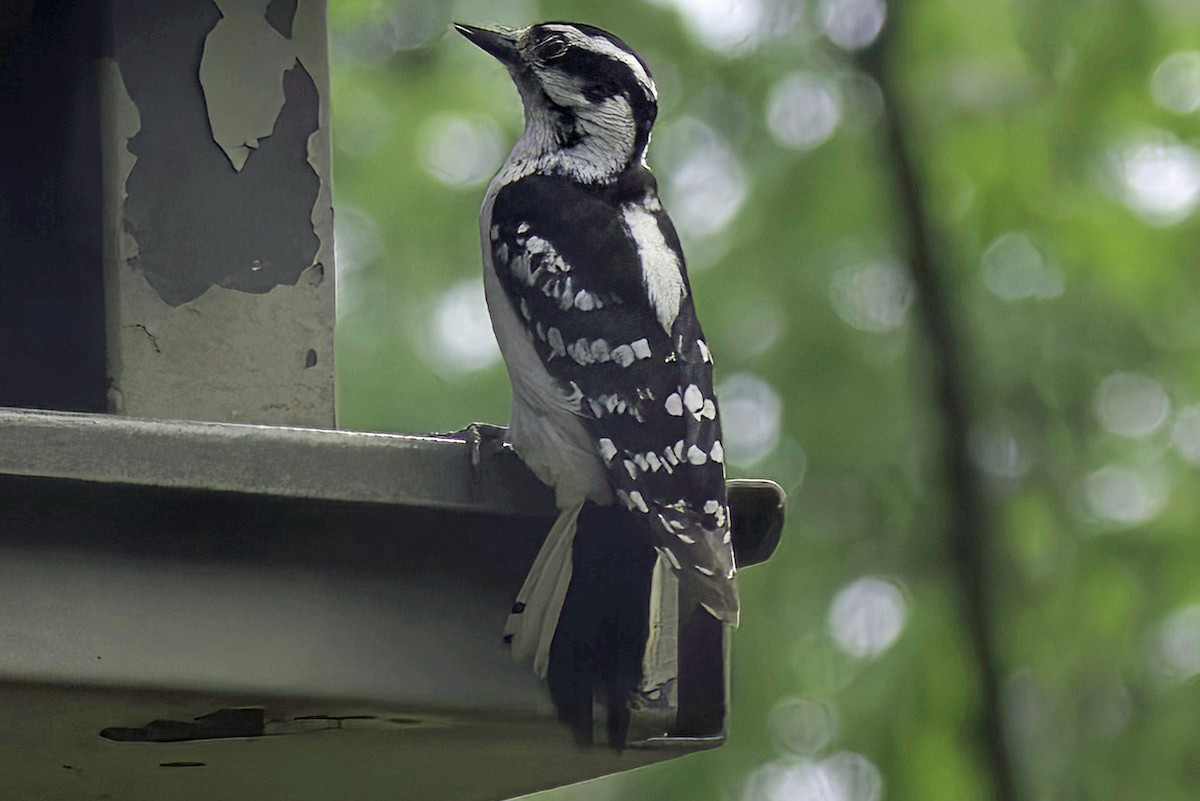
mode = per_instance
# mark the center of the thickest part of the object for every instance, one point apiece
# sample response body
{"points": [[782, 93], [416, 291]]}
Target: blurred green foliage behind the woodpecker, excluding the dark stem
{"points": [[1029, 123]]}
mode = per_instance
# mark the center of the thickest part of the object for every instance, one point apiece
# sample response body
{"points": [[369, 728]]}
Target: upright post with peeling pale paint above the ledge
{"points": [[217, 248]]}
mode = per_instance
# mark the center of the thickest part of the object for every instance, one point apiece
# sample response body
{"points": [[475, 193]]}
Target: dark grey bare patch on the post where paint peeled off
{"points": [[196, 221]]}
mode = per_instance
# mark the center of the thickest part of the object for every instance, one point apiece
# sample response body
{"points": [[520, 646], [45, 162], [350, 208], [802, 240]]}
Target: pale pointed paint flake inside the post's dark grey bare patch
{"points": [[242, 73]]}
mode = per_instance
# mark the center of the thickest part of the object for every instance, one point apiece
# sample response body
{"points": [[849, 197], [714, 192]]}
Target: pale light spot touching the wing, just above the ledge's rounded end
{"points": [[751, 418]]}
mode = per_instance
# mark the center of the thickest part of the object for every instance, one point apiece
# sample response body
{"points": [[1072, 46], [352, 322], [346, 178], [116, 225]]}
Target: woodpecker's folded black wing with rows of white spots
{"points": [[575, 278]]}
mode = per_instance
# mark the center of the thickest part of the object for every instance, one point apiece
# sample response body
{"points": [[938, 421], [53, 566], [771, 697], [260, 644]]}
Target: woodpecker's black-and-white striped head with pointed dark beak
{"points": [[586, 93]]}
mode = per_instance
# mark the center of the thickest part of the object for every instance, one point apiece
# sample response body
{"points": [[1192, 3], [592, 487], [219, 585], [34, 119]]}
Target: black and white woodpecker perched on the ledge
{"points": [[586, 285]]}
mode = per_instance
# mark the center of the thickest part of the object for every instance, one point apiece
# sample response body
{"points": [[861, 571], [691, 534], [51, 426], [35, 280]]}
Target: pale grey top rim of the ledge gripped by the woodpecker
{"points": [[431, 472]]}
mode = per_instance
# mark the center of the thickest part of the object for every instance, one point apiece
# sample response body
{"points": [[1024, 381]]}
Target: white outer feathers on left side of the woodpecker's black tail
{"points": [[535, 618]]}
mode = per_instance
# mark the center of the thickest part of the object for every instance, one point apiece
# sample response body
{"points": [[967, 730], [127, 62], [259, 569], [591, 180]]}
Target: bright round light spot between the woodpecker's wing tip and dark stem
{"points": [[867, 617]]}
